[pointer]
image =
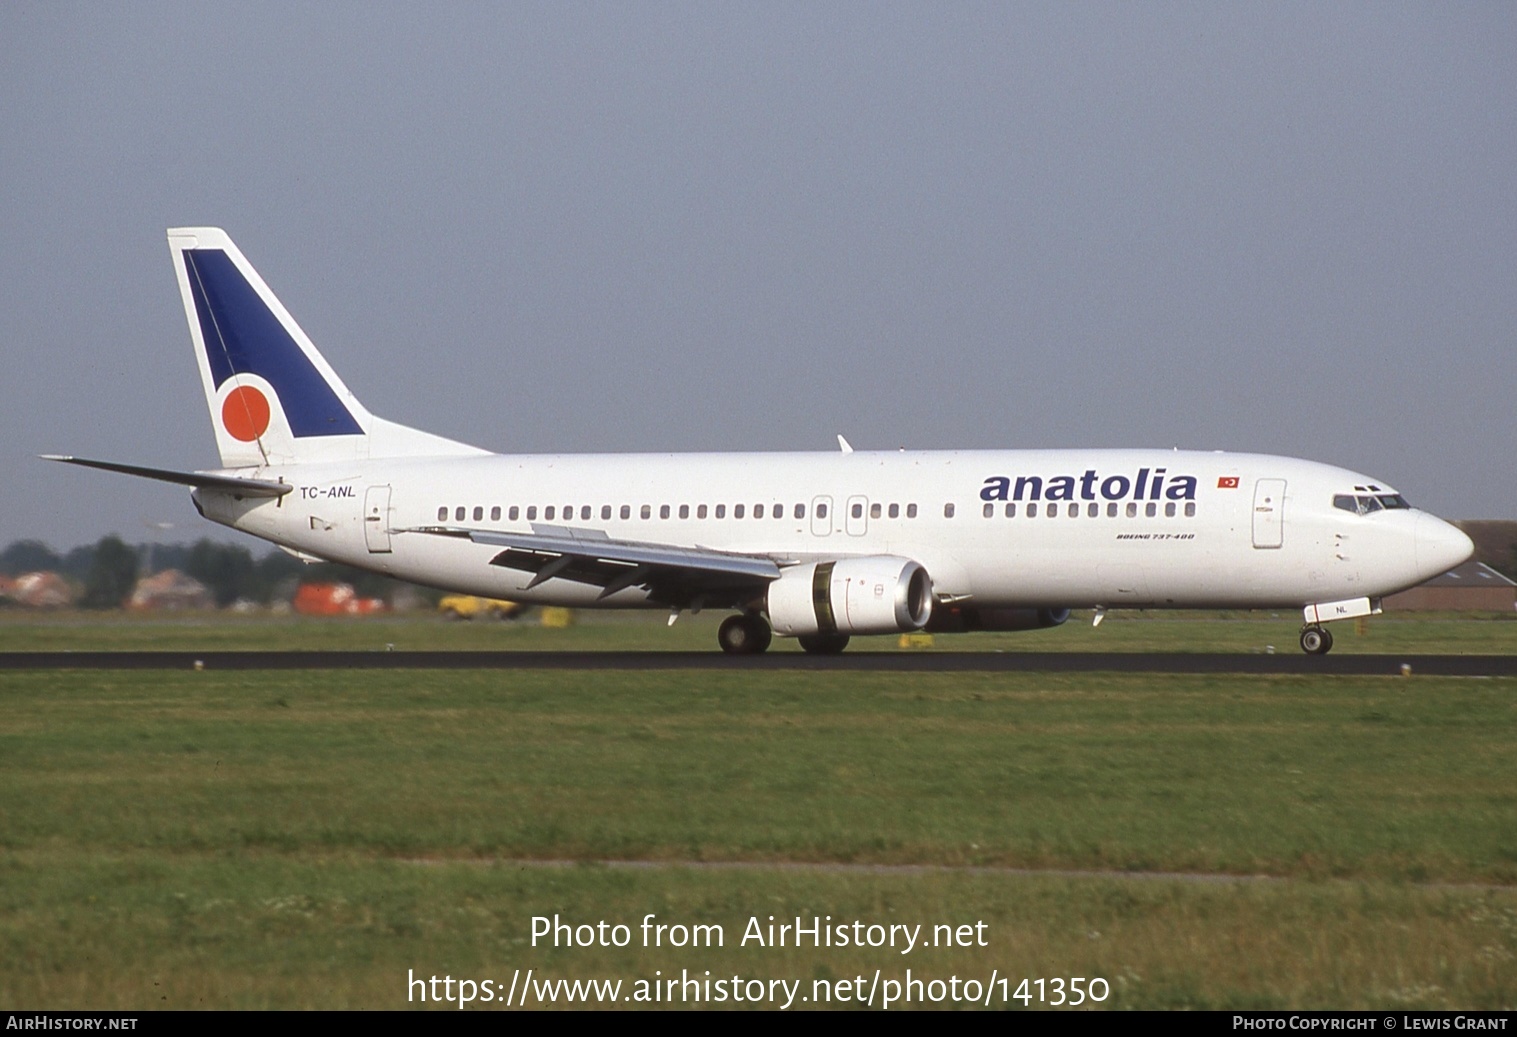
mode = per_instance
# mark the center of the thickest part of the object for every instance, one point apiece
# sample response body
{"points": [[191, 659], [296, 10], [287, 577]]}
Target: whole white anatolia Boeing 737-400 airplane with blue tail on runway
{"points": [[815, 547]]}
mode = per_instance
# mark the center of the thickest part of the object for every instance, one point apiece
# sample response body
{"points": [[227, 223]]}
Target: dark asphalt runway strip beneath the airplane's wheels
{"points": [[849, 662]]}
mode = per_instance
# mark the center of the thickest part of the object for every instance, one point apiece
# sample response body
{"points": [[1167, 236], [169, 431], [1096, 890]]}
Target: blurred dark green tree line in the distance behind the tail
{"points": [[110, 569]]}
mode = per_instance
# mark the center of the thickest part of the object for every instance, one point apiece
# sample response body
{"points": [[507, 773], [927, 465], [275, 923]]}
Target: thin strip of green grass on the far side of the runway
{"points": [[1431, 633]]}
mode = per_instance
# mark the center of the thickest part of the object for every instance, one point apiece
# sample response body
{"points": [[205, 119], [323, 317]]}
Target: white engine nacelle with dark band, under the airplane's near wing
{"points": [[876, 595]]}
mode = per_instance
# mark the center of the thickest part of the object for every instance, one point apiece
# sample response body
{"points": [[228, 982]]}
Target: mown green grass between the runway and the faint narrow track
{"points": [[1399, 780]]}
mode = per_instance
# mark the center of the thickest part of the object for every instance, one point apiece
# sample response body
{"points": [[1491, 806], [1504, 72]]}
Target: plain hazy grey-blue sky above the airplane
{"points": [[652, 227]]}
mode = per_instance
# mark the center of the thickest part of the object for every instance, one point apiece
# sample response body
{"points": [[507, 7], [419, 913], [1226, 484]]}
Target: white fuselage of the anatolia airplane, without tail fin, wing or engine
{"points": [[996, 528]]}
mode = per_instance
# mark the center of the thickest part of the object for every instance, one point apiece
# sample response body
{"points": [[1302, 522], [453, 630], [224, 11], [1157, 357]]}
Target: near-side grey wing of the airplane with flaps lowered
{"points": [[673, 575]]}
